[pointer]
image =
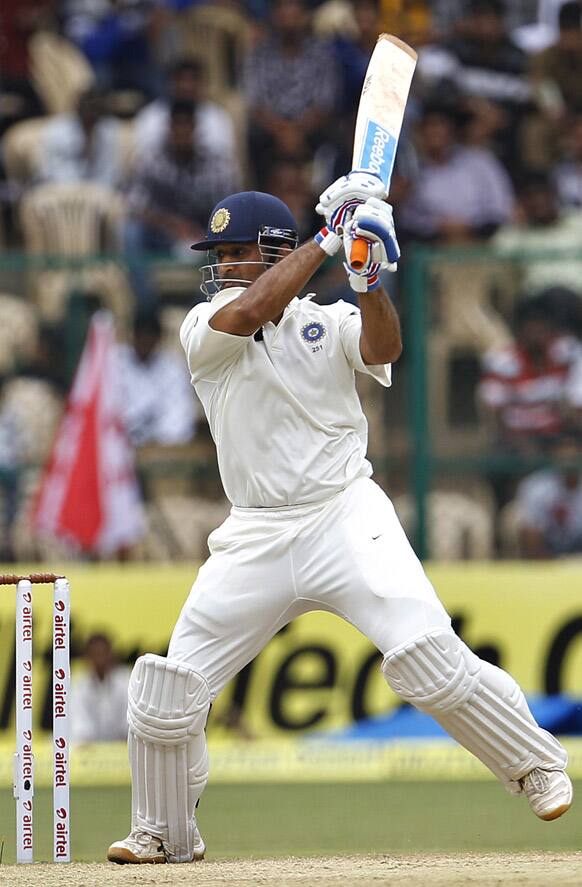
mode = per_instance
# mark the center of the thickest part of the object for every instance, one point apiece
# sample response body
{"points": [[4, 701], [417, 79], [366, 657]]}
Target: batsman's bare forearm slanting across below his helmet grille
{"points": [[267, 297]]}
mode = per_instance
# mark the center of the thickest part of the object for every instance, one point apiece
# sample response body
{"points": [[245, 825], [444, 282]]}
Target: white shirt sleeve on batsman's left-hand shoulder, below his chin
{"points": [[210, 352]]}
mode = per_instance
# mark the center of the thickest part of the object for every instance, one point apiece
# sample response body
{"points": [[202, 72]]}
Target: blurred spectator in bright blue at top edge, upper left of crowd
{"points": [[119, 38]]}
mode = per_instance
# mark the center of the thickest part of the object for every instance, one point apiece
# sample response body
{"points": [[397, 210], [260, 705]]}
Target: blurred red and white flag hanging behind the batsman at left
{"points": [[89, 493]]}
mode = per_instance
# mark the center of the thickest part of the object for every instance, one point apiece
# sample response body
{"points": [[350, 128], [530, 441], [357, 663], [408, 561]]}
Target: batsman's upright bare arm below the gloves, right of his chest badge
{"points": [[380, 341]]}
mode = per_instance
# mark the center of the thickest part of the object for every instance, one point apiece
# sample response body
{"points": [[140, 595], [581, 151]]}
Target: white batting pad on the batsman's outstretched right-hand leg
{"points": [[478, 704]]}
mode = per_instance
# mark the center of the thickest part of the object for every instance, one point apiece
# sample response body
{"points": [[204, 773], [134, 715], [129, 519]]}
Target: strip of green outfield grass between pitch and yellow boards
{"points": [[278, 820]]}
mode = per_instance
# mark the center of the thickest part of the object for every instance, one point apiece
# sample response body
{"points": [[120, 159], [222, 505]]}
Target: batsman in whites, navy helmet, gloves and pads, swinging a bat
{"points": [[308, 529]]}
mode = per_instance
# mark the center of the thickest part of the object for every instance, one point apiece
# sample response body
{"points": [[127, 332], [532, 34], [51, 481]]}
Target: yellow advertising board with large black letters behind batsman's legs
{"points": [[319, 673]]}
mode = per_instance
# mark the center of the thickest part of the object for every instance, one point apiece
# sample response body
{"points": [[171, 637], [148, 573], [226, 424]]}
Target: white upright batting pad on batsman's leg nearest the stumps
{"points": [[167, 709]]}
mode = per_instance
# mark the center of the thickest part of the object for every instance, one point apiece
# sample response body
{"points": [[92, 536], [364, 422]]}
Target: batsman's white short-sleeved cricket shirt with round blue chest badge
{"points": [[282, 405]]}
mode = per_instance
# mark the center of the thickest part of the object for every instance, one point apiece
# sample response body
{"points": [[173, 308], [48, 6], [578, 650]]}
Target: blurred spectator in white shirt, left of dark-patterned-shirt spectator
{"points": [[82, 146]]}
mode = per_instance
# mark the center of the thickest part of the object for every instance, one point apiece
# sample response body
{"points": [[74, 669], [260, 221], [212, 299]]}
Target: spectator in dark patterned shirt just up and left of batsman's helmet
{"points": [[169, 200]]}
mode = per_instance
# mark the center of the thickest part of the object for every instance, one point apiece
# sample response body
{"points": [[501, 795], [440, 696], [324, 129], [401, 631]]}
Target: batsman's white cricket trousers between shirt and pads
{"points": [[348, 555]]}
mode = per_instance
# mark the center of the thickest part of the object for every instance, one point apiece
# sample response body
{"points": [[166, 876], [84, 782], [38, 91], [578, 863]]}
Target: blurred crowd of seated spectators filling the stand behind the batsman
{"points": [[122, 123]]}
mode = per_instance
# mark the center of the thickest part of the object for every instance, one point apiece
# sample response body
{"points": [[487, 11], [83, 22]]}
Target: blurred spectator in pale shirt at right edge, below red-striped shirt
{"points": [[549, 503]]}
